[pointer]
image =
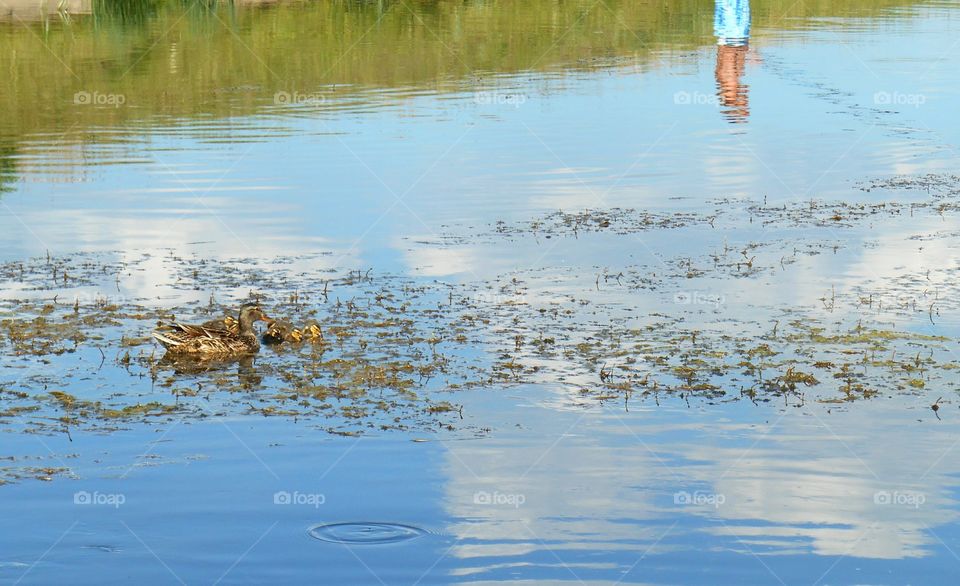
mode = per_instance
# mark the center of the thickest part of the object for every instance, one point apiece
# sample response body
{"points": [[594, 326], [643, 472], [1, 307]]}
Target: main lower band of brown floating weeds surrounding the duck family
{"points": [[399, 352]]}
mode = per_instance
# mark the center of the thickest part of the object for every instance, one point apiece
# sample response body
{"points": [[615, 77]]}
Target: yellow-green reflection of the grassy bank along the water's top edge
{"points": [[181, 73]]}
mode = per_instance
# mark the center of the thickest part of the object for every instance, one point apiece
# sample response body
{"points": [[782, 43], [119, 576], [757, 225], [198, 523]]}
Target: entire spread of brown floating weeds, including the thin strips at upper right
{"points": [[401, 353]]}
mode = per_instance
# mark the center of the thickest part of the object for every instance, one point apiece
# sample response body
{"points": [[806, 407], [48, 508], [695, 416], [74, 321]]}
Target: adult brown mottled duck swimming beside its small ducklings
{"points": [[201, 340]]}
